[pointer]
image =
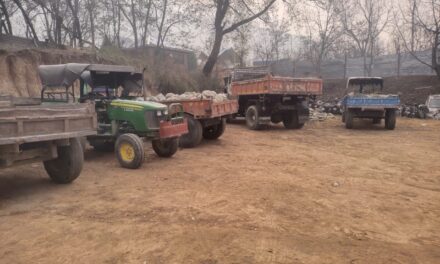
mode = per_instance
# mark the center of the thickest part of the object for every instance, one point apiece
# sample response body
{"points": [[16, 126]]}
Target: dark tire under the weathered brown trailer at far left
{"points": [[67, 167]]}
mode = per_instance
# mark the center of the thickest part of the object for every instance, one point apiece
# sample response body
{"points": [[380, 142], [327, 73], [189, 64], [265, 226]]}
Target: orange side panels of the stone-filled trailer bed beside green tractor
{"points": [[205, 108]]}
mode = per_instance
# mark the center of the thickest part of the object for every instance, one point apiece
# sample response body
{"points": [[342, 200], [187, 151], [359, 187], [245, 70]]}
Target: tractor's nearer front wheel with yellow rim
{"points": [[129, 151]]}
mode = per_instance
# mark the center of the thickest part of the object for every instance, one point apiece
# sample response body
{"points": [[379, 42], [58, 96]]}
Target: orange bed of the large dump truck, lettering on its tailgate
{"points": [[277, 85]]}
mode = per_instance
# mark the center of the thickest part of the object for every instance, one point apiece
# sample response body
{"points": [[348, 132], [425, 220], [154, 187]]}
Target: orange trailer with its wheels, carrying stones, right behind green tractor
{"points": [[206, 119]]}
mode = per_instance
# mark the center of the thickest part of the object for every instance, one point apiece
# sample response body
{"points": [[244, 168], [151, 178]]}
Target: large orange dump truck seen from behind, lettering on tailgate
{"points": [[264, 98]]}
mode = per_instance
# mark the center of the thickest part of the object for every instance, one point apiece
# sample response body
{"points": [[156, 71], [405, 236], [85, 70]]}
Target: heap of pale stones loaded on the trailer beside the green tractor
{"points": [[206, 95]]}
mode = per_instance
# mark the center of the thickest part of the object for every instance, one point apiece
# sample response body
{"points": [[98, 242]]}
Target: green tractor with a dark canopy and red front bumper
{"points": [[124, 119]]}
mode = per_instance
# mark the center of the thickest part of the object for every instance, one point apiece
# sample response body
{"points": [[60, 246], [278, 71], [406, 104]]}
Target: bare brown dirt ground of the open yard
{"points": [[322, 194]]}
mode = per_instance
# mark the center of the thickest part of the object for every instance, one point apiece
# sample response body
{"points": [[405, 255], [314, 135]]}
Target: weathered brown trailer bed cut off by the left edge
{"points": [[41, 122]]}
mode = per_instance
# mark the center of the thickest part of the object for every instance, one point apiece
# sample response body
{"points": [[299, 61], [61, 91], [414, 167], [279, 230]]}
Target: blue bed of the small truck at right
{"points": [[378, 101]]}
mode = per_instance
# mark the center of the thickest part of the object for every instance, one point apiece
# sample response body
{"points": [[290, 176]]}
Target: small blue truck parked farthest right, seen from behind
{"points": [[367, 101]]}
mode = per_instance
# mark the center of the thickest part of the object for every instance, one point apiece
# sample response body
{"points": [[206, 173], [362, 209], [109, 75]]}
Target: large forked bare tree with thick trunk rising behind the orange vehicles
{"points": [[227, 19]]}
